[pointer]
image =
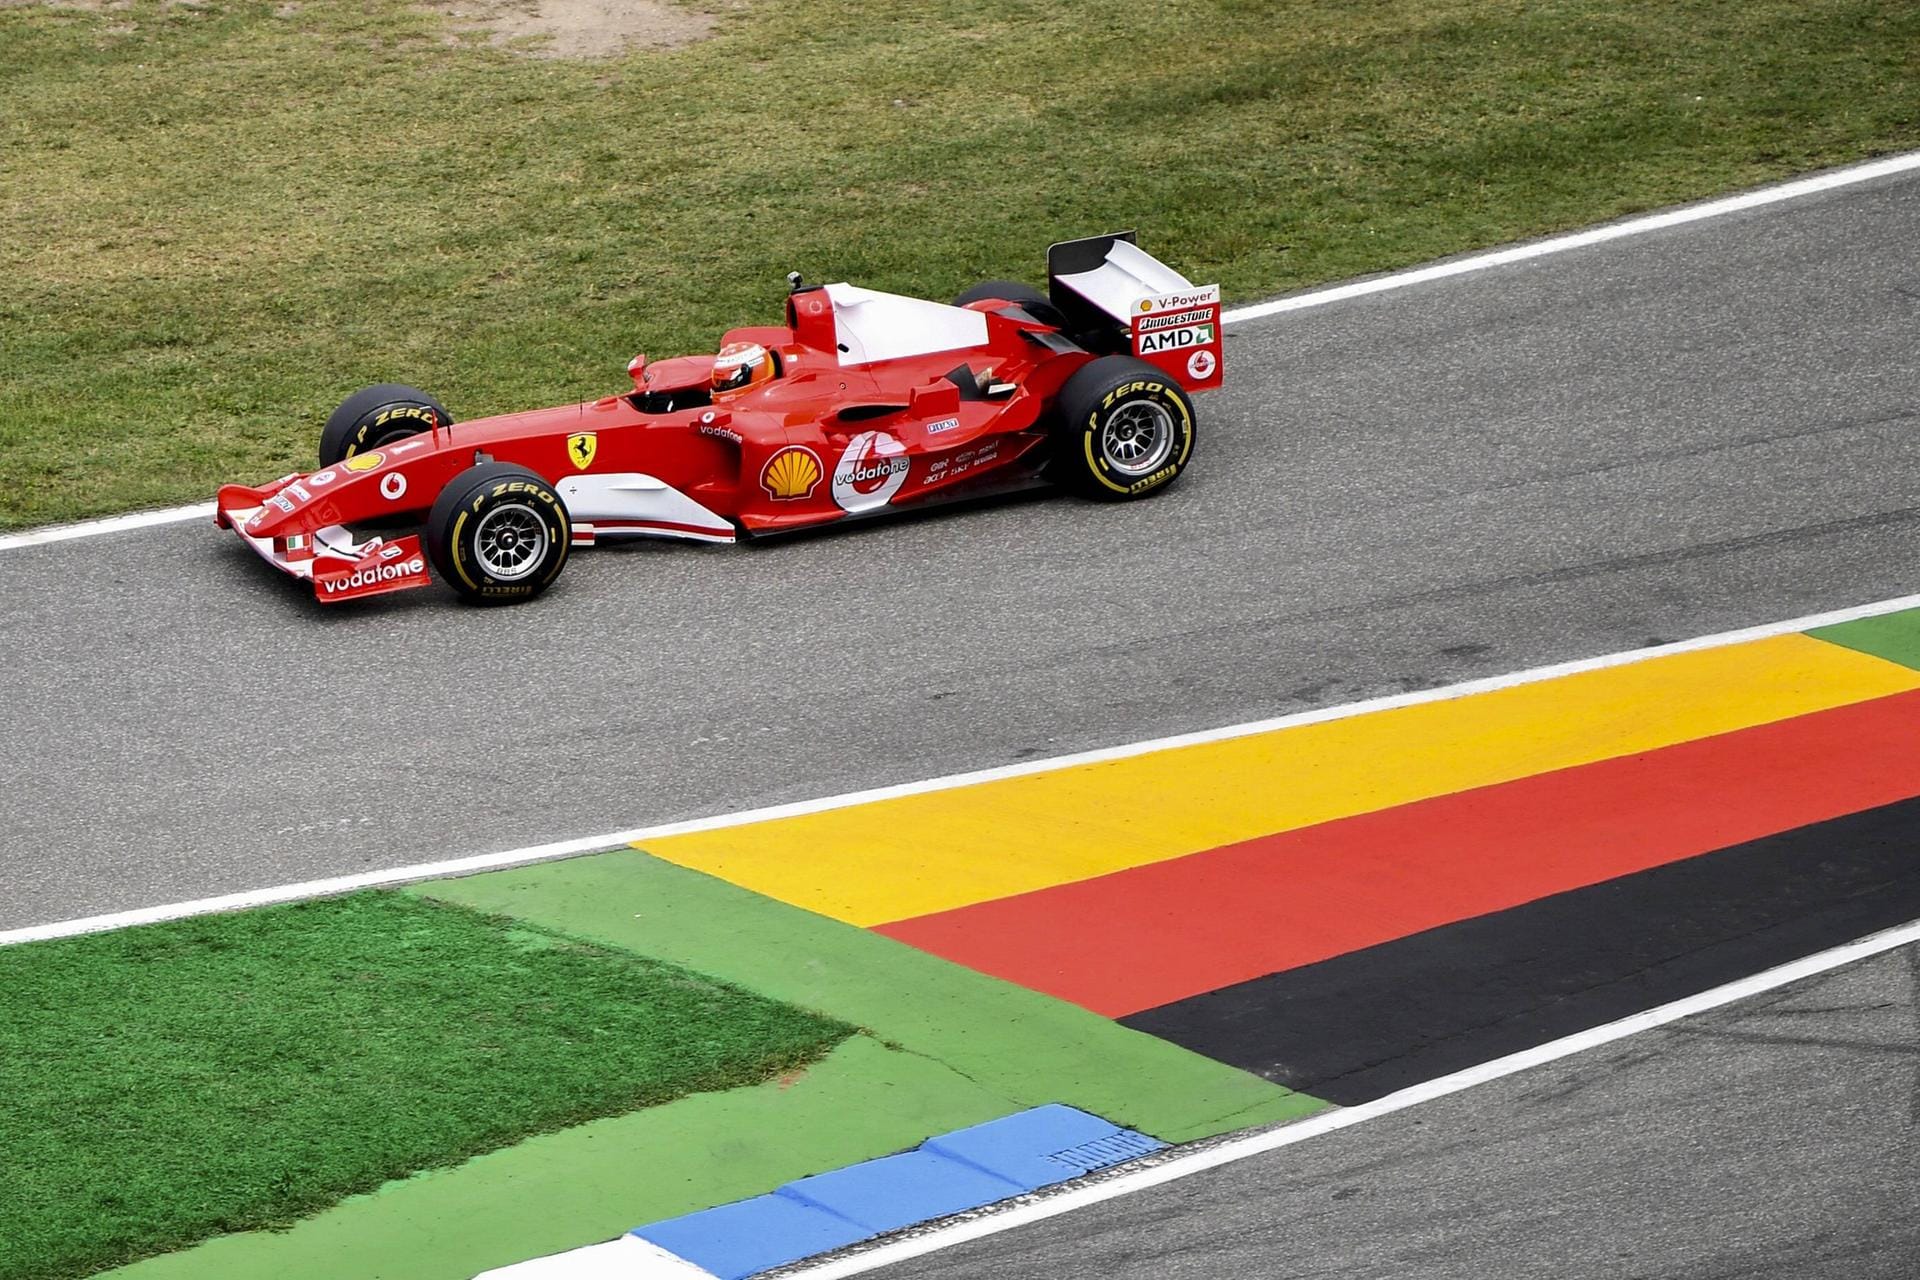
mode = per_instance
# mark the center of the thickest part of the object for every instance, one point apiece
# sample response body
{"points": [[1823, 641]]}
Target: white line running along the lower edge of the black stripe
{"points": [[1186, 1166]]}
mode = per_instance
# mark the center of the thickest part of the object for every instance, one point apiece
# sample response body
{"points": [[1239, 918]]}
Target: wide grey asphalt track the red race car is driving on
{"points": [[1664, 437]]}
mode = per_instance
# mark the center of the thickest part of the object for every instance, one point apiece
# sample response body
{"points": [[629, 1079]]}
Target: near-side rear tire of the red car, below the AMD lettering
{"points": [[1124, 431]]}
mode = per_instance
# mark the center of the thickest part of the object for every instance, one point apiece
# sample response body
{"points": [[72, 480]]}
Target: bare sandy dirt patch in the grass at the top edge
{"points": [[577, 28]]}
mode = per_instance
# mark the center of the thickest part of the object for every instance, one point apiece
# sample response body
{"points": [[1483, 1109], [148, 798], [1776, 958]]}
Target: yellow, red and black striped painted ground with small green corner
{"points": [[1364, 903]]}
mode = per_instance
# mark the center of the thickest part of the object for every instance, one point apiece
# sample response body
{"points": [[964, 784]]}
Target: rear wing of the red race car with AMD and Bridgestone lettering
{"points": [[1109, 283]]}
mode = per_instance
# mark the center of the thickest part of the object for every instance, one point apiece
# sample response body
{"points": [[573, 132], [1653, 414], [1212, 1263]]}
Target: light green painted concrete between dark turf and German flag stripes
{"points": [[942, 1049]]}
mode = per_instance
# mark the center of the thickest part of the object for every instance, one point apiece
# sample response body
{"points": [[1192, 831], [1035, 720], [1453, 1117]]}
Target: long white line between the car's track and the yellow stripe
{"points": [[951, 782]]}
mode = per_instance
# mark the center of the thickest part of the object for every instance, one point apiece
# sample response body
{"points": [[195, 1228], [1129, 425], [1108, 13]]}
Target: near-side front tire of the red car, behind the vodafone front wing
{"points": [[498, 534]]}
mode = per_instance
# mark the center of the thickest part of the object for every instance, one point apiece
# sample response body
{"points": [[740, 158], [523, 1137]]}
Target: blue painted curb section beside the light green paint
{"points": [[944, 1175]]}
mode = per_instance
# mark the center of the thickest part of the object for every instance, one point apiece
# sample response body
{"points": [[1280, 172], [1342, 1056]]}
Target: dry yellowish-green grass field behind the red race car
{"points": [[220, 218]]}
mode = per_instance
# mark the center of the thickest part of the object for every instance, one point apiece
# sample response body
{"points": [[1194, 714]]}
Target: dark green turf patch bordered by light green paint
{"points": [[170, 1083]]}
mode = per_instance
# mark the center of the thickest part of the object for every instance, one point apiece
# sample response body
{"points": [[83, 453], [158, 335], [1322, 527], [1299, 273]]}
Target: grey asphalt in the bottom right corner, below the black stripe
{"points": [[1771, 1139]]}
